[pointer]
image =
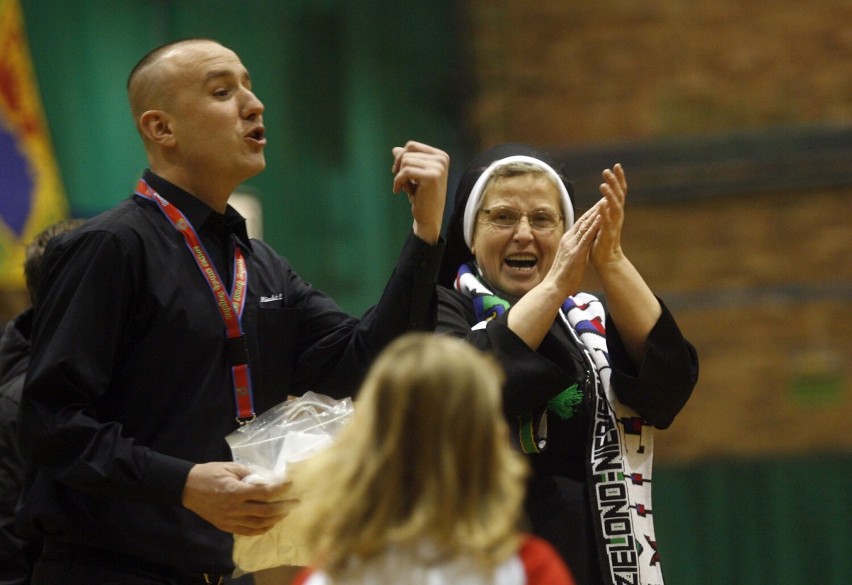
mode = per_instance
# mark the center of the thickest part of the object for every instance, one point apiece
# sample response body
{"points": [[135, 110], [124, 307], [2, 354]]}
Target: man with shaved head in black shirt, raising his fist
{"points": [[162, 327]]}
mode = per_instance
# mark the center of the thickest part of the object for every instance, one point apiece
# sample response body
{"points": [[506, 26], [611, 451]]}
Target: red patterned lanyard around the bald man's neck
{"points": [[230, 306]]}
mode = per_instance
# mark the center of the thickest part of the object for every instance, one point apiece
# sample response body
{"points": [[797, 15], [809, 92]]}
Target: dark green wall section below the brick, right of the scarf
{"points": [[770, 520]]}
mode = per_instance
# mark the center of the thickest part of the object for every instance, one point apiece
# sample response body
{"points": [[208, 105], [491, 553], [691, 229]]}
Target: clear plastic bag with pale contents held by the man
{"points": [[287, 433]]}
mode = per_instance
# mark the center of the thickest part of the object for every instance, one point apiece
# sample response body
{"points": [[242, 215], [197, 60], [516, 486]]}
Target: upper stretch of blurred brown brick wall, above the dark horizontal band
{"points": [[557, 72]]}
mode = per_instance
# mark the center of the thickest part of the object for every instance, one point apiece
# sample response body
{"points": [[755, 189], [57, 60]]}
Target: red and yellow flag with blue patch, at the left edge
{"points": [[31, 193]]}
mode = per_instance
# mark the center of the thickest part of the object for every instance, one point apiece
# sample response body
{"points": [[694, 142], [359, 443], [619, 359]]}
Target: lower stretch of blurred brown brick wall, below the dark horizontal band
{"points": [[761, 286]]}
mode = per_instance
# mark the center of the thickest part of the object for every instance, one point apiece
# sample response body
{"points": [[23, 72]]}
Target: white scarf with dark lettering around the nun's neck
{"points": [[621, 455]]}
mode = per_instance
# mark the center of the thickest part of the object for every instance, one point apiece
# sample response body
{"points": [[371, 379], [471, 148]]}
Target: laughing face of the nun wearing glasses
{"points": [[515, 258]]}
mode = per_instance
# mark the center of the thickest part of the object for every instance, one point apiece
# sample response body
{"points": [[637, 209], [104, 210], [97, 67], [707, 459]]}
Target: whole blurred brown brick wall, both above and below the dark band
{"points": [[761, 281]]}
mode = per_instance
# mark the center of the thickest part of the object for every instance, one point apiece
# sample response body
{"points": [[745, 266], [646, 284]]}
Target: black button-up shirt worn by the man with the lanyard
{"points": [[129, 384]]}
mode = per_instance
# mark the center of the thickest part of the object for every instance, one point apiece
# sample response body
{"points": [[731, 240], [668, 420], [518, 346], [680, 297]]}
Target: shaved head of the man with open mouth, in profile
{"points": [[194, 107]]}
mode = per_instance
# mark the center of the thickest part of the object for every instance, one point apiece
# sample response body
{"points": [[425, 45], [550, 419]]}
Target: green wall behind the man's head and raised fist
{"points": [[342, 83]]}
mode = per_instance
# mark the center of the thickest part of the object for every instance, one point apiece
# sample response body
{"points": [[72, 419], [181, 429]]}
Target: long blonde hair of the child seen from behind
{"points": [[426, 459]]}
